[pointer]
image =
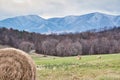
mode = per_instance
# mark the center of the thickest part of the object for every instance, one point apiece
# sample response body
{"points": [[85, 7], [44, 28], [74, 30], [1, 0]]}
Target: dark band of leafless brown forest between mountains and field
{"points": [[85, 43]]}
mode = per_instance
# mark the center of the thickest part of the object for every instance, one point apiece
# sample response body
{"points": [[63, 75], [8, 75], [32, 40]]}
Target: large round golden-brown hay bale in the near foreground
{"points": [[16, 65]]}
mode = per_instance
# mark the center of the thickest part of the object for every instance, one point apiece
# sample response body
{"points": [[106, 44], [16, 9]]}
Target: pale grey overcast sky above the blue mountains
{"points": [[56, 8]]}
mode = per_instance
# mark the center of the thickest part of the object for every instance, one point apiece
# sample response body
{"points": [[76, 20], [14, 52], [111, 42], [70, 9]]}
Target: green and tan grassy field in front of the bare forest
{"points": [[70, 68]]}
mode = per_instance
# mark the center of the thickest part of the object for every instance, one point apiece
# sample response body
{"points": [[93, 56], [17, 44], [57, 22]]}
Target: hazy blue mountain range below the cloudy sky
{"points": [[34, 23]]}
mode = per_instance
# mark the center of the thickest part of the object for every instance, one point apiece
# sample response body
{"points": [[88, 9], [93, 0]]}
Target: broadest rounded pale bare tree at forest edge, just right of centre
{"points": [[69, 48]]}
